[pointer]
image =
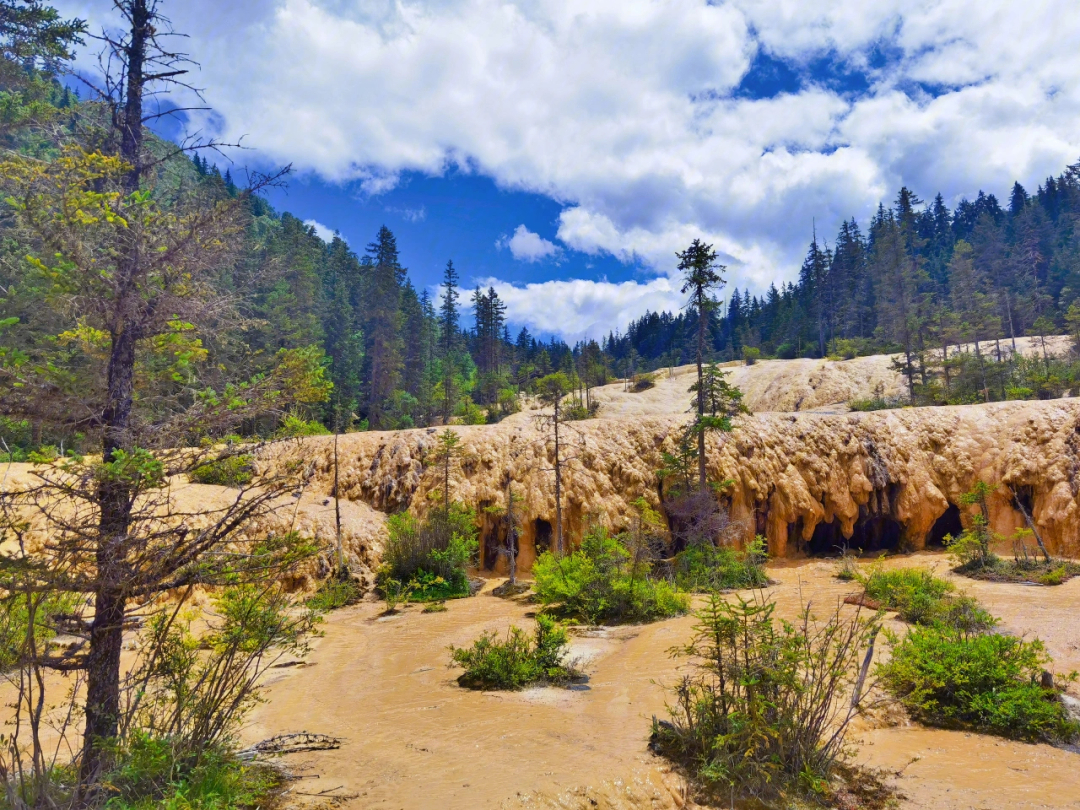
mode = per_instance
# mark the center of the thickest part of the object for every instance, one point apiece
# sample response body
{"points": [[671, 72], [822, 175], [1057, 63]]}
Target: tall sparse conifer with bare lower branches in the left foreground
{"points": [[137, 266]]}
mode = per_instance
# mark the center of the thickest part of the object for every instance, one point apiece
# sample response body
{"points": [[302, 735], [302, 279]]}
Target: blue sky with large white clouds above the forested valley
{"points": [[563, 151]]}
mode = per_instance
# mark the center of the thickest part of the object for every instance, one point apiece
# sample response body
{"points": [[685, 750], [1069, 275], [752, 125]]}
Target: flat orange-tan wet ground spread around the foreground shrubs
{"points": [[414, 739]]}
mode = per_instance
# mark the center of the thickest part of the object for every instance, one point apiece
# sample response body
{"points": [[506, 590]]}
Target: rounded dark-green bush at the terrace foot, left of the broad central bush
{"points": [[429, 558]]}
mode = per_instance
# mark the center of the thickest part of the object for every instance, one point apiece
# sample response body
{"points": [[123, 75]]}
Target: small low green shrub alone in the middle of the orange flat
{"points": [[517, 663]]}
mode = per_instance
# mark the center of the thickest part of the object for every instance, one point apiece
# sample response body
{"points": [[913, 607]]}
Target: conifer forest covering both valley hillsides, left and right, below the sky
{"points": [[948, 291]]}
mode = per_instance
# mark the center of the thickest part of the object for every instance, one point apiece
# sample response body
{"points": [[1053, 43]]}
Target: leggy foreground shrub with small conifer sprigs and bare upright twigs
{"points": [[766, 710]]}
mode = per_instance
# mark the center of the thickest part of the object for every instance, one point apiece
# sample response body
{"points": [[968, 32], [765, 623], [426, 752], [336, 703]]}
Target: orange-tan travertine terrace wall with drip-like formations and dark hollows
{"points": [[806, 475]]}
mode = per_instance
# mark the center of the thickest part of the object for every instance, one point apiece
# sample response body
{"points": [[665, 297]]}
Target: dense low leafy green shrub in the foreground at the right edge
{"points": [[950, 678]]}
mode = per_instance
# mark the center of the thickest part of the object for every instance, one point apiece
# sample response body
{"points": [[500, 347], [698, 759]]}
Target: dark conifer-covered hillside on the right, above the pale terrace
{"points": [[922, 281]]}
